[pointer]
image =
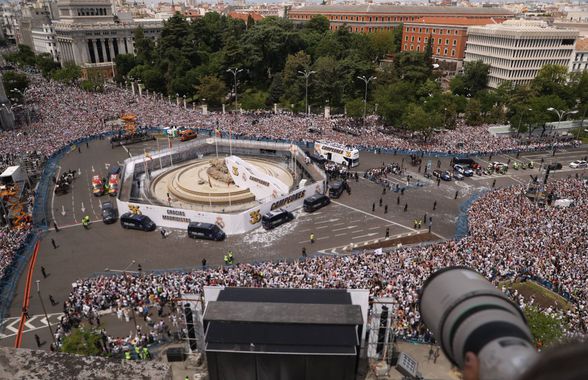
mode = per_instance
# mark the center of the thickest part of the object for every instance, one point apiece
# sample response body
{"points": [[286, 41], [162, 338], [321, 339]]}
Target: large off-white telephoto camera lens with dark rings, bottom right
{"points": [[466, 313]]}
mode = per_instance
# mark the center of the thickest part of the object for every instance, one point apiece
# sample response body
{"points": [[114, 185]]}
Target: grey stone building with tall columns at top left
{"points": [[89, 35]]}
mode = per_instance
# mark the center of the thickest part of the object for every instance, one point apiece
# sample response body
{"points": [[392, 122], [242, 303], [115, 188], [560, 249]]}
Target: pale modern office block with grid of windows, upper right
{"points": [[517, 49]]}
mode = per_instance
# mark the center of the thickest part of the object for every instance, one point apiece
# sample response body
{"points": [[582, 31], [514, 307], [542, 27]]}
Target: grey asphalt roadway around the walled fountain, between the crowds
{"points": [[348, 220]]}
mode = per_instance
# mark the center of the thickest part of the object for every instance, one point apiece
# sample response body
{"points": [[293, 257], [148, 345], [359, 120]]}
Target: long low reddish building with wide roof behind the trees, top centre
{"points": [[367, 18]]}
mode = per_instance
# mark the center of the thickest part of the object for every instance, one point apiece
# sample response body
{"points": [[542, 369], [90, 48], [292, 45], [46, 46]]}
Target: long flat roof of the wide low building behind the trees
{"points": [[399, 9]]}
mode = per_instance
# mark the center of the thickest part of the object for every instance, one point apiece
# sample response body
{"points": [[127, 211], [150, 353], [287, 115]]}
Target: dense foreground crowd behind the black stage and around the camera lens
{"points": [[510, 238]]}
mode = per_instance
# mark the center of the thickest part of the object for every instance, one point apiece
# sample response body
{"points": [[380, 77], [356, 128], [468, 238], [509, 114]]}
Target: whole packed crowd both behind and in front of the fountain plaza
{"points": [[509, 236]]}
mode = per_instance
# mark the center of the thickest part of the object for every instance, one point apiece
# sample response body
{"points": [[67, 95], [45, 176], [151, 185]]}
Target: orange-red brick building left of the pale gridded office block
{"points": [[448, 36]]}
